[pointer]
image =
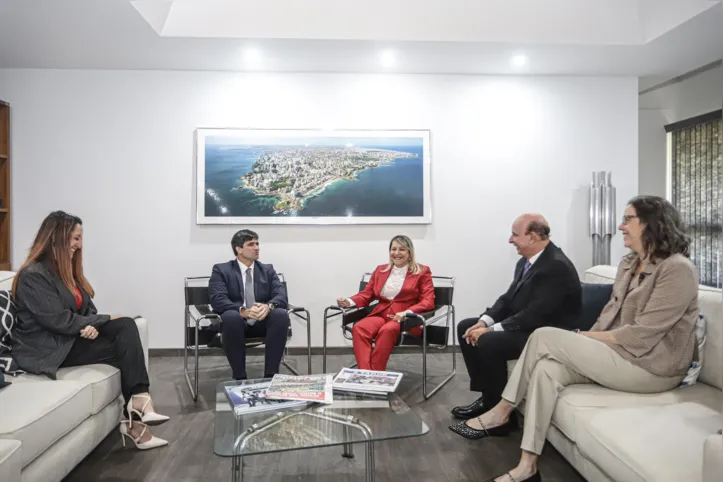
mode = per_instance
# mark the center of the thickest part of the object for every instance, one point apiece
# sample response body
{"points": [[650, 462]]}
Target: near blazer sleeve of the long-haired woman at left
{"points": [[40, 297]]}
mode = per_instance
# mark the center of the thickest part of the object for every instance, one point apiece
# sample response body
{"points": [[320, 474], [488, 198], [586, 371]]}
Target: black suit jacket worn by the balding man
{"points": [[549, 294]]}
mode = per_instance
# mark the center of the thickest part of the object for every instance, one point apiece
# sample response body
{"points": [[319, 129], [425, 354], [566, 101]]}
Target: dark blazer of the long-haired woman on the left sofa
{"points": [[48, 320]]}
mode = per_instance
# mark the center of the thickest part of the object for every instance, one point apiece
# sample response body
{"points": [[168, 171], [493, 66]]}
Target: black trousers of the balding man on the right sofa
{"points": [[487, 362]]}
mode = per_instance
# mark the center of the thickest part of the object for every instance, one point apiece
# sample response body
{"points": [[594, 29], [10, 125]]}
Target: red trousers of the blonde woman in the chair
{"points": [[384, 332]]}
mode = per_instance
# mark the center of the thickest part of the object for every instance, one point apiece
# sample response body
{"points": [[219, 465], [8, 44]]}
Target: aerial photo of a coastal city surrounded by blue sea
{"points": [[313, 176]]}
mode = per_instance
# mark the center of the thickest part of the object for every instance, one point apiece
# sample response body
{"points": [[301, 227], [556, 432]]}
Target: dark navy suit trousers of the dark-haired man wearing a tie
{"points": [[234, 331]]}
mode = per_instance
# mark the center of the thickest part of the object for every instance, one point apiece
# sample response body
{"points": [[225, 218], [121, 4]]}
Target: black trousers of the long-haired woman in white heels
{"points": [[118, 344]]}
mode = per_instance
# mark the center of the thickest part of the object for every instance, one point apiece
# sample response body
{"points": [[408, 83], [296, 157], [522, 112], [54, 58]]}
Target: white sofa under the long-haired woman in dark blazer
{"points": [[48, 426]]}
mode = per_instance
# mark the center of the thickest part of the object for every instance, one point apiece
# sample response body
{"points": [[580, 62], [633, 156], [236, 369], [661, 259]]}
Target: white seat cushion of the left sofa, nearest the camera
{"points": [[40, 413]]}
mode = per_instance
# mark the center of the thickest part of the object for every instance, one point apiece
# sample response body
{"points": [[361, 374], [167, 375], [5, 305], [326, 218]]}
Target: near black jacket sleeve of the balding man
{"points": [[552, 288]]}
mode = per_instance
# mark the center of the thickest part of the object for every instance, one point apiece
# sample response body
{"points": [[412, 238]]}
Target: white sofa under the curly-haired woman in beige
{"points": [[614, 436]]}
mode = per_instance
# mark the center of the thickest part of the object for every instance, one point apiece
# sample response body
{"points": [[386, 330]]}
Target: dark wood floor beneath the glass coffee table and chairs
{"points": [[438, 456]]}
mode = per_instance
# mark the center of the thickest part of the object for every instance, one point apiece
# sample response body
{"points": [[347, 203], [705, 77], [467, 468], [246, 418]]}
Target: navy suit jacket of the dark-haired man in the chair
{"points": [[226, 288]]}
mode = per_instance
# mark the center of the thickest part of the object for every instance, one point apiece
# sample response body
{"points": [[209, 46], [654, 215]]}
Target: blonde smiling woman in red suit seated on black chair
{"points": [[401, 287]]}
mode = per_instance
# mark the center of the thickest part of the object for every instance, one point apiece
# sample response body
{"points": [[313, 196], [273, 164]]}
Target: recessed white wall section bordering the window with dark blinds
{"points": [[692, 97]]}
